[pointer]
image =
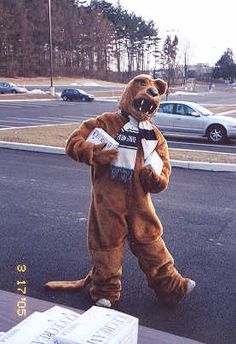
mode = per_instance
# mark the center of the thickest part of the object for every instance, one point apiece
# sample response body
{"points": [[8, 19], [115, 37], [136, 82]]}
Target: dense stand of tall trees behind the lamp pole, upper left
{"points": [[95, 39]]}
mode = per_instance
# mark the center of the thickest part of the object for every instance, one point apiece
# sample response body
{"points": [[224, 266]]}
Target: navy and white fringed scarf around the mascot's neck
{"points": [[128, 138]]}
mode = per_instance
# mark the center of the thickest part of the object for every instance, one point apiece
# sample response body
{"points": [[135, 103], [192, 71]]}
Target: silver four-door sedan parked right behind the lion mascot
{"points": [[187, 119]]}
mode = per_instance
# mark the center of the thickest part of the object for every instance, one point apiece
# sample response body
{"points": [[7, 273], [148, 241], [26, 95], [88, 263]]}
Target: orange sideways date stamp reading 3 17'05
{"points": [[21, 305]]}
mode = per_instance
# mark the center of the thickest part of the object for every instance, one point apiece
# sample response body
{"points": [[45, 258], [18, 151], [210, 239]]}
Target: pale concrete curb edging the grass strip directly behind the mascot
{"points": [[191, 165]]}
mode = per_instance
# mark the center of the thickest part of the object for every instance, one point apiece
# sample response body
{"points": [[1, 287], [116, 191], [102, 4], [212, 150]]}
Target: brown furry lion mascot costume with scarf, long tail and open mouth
{"points": [[121, 206]]}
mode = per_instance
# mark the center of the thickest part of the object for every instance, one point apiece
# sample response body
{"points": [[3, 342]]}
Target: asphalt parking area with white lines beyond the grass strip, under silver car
{"points": [[33, 113]]}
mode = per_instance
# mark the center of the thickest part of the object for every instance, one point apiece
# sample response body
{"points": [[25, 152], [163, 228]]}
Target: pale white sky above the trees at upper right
{"points": [[208, 26]]}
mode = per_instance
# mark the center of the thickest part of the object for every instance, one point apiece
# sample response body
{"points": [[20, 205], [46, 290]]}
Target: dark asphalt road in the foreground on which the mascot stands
{"points": [[44, 201]]}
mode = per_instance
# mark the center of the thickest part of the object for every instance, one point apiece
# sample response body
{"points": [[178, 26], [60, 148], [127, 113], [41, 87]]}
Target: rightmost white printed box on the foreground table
{"points": [[103, 326]]}
